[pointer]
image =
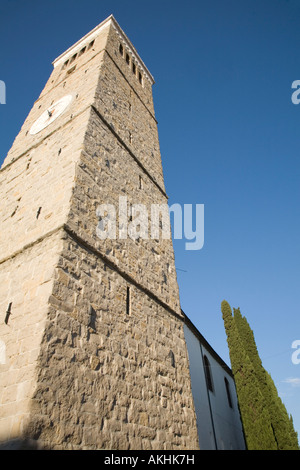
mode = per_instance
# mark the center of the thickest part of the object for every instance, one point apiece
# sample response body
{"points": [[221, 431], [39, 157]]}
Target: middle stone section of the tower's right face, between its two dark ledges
{"points": [[107, 171]]}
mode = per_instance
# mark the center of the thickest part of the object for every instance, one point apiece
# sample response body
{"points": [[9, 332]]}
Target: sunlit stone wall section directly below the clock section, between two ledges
{"points": [[37, 188]]}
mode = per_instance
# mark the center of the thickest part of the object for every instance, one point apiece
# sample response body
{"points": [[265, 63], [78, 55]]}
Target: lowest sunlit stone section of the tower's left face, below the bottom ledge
{"points": [[26, 281]]}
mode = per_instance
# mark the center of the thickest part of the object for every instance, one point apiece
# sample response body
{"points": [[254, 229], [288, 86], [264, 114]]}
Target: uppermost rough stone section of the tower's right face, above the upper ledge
{"points": [[127, 106]]}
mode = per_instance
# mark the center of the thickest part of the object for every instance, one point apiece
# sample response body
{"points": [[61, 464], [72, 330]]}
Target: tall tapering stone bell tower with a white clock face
{"points": [[92, 349]]}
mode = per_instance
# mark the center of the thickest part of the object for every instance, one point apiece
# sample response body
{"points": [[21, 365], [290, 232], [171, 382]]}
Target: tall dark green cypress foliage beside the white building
{"points": [[277, 432]]}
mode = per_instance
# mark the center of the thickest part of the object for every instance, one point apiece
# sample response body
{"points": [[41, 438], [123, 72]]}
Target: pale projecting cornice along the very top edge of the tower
{"points": [[110, 21]]}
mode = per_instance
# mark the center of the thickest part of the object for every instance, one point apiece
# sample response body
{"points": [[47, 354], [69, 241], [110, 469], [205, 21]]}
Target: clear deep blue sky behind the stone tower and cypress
{"points": [[229, 136]]}
